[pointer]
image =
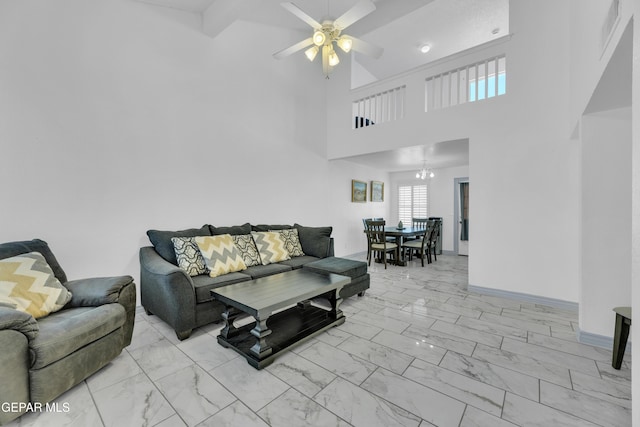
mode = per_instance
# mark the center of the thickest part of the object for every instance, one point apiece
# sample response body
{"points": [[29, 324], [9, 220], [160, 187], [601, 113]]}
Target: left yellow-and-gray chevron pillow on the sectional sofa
{"points": [[220, 254]]}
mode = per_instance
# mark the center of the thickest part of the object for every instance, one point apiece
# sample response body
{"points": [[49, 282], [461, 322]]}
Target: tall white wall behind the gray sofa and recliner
{"points": [[117, 117]]}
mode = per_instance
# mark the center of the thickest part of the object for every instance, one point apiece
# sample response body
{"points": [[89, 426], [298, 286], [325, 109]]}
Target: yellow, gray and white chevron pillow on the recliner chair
{"points": [[28, 284]]}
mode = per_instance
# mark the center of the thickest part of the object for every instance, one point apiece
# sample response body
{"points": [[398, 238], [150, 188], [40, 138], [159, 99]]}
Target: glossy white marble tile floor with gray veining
{"points": [[416, 350]]}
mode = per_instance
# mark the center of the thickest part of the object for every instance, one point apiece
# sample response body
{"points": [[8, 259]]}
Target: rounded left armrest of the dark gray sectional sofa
{"points": [[167, 291]]}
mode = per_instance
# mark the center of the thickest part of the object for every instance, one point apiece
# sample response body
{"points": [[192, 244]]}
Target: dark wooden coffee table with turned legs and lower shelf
{"points": [[284, 315]]}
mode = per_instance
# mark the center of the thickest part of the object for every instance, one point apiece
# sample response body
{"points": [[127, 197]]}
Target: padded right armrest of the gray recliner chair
{"points": [[98, 291]]}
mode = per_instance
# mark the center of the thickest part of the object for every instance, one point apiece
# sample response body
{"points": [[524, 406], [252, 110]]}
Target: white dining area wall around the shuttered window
{"points": [[440, 193]]}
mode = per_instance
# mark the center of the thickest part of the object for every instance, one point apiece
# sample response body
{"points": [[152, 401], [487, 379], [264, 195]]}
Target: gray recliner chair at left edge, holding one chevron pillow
{"points": [[41, 359]]}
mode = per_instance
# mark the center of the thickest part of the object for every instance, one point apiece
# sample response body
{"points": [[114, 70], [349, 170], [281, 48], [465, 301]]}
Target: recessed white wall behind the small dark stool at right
{"points": [[605, 219]]}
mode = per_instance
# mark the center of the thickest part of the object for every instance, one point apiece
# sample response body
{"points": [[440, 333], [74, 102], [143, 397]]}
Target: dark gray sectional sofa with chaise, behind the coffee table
{"points": [[185, 302]]}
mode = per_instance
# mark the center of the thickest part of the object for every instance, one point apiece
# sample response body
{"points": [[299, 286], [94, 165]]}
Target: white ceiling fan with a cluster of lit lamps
{"points": [[328, 33]]}
